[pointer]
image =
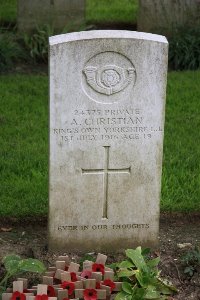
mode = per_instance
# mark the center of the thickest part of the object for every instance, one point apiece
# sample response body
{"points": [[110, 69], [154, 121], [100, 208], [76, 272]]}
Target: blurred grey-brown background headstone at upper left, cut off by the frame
{"points": [[56, 13]]}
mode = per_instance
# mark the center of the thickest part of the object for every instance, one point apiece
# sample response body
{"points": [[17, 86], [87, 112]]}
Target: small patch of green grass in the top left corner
{"points": [[8, 11]]}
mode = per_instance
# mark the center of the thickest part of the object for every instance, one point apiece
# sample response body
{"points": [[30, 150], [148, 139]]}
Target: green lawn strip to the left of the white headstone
{"points": [[24, 150]]}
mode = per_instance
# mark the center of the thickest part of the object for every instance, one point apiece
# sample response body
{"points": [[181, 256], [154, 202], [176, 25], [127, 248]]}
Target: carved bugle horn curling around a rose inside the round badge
{"points": [[109, 79]]}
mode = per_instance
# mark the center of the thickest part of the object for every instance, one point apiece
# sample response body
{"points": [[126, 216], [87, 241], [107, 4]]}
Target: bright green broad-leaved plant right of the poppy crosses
{"points": [[141, 280]]}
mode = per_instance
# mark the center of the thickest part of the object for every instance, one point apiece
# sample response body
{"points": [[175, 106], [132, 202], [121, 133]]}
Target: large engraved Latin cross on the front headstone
{"points": [[105, 172]]}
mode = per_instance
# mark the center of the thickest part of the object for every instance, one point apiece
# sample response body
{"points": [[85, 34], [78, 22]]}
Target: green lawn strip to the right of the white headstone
{"points": [[181, 169]]}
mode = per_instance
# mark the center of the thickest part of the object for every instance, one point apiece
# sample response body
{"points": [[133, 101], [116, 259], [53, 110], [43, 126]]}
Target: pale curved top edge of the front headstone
{"points": [[105, 34]]}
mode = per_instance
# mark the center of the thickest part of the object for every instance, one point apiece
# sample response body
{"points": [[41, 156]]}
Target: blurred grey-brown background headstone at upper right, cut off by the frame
{"points": [[163, 16]]}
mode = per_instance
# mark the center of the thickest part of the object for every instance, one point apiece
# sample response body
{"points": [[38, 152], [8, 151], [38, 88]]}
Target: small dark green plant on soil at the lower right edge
{"points": [[192, 261]]}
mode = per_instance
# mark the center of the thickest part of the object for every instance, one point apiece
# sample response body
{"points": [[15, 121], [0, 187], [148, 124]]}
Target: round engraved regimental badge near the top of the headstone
{"points": [[107, 74]]}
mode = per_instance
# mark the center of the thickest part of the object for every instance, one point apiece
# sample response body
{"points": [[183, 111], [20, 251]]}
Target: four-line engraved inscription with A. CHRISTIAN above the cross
{"points": [[123, 124]]}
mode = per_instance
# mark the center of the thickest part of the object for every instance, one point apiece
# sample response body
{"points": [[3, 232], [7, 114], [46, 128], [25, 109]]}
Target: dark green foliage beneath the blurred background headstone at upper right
{"points": [[184, 49]]}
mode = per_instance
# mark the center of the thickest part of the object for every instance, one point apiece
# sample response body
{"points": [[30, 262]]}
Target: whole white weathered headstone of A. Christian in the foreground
{"points": [[107, 104]]}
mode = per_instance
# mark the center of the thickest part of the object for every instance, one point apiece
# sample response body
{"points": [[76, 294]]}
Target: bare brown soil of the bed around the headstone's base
{"points": [[28, 238]]}
